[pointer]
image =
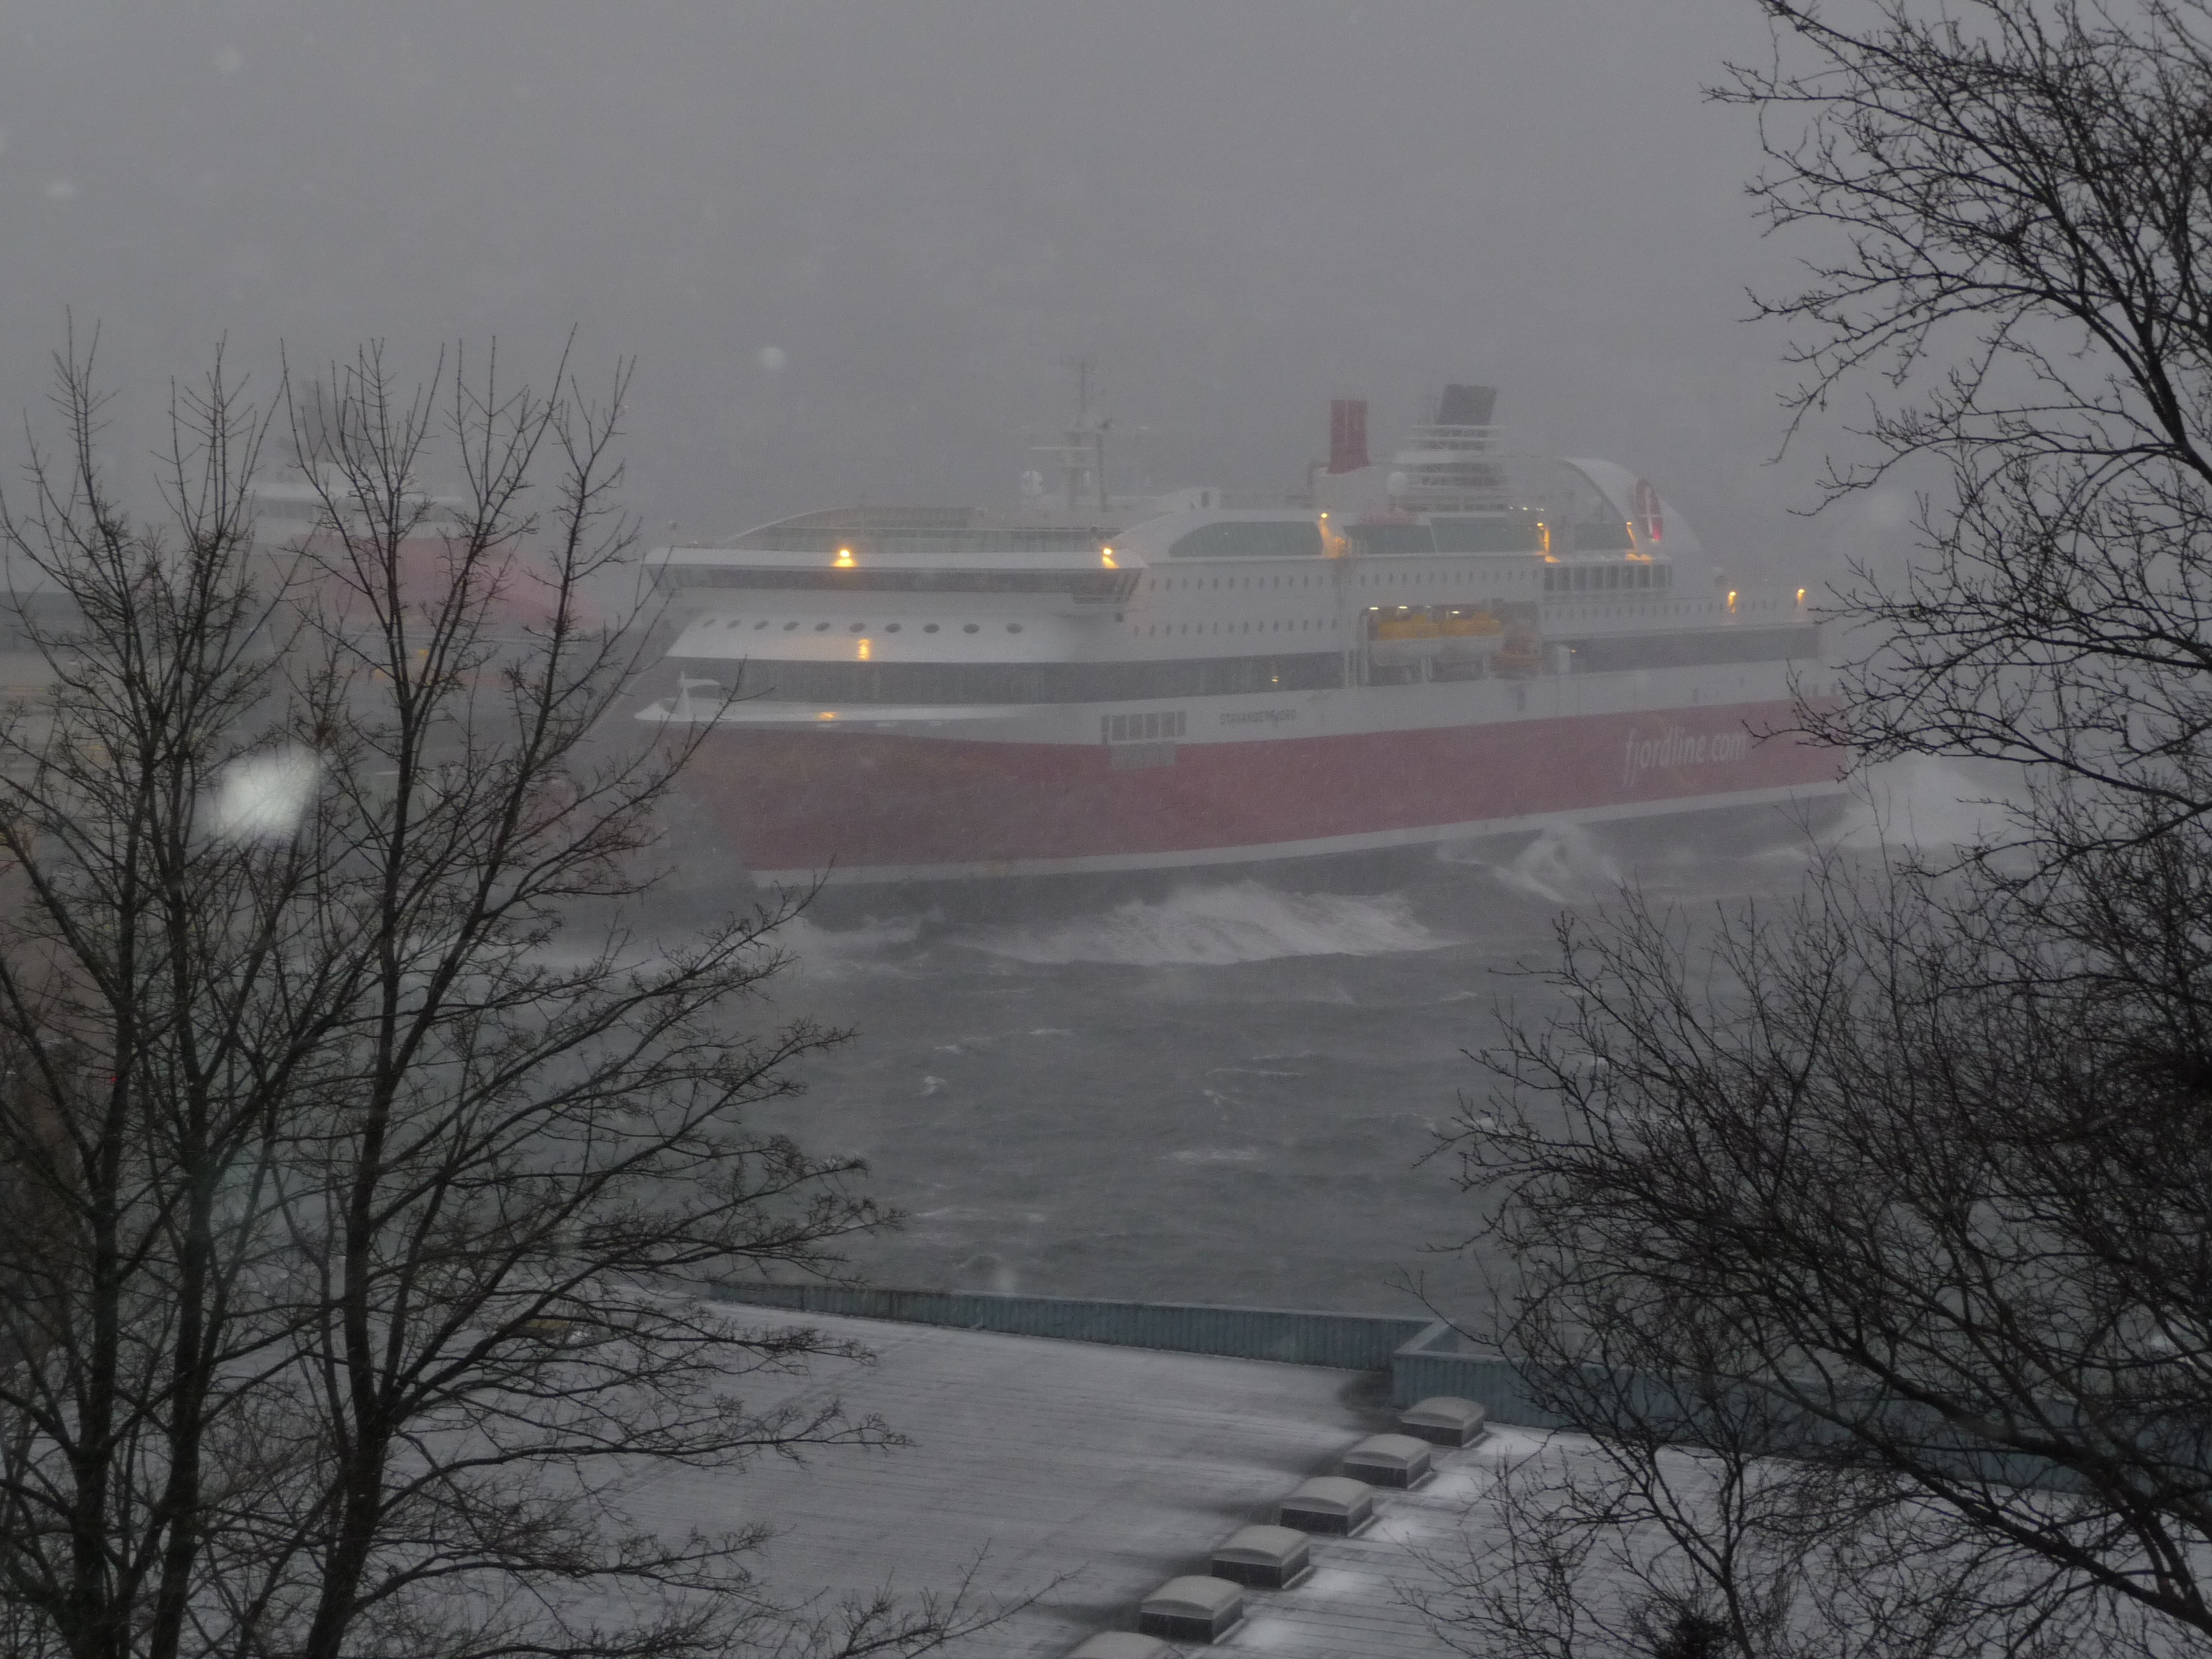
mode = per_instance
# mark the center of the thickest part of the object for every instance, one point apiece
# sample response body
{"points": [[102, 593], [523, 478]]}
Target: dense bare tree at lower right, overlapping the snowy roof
{"points": [[1870, 1242]]}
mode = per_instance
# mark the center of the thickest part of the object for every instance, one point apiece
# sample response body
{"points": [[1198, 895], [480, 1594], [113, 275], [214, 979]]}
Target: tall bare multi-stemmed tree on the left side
{"points": [[366, 1156]]}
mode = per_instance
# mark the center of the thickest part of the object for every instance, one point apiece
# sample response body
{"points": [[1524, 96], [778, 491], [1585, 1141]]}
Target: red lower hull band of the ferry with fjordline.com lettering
{"points": [[888, 806]]}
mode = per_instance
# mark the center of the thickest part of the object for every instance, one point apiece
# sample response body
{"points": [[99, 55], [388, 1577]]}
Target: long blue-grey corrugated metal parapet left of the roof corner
{"points": [[1344, 1342]]}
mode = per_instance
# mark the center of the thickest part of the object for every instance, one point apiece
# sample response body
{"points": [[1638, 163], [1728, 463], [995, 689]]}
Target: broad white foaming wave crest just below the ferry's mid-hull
{"points": [[1215, 928]]}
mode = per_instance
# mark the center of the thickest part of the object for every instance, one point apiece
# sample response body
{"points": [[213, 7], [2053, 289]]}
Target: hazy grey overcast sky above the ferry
{"points": [[926, 211]]}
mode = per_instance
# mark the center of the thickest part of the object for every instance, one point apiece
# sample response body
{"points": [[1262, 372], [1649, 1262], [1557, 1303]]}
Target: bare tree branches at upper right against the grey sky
{"points": [[2005, 207]]}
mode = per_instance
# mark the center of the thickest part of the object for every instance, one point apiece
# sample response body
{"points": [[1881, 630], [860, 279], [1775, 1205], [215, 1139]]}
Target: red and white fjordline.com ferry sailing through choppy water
{"points": [[1443, 647]]}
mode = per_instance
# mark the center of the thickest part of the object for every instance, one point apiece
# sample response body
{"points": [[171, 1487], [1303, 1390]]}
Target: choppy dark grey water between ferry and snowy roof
{"points": [[1213, 1094]]}
